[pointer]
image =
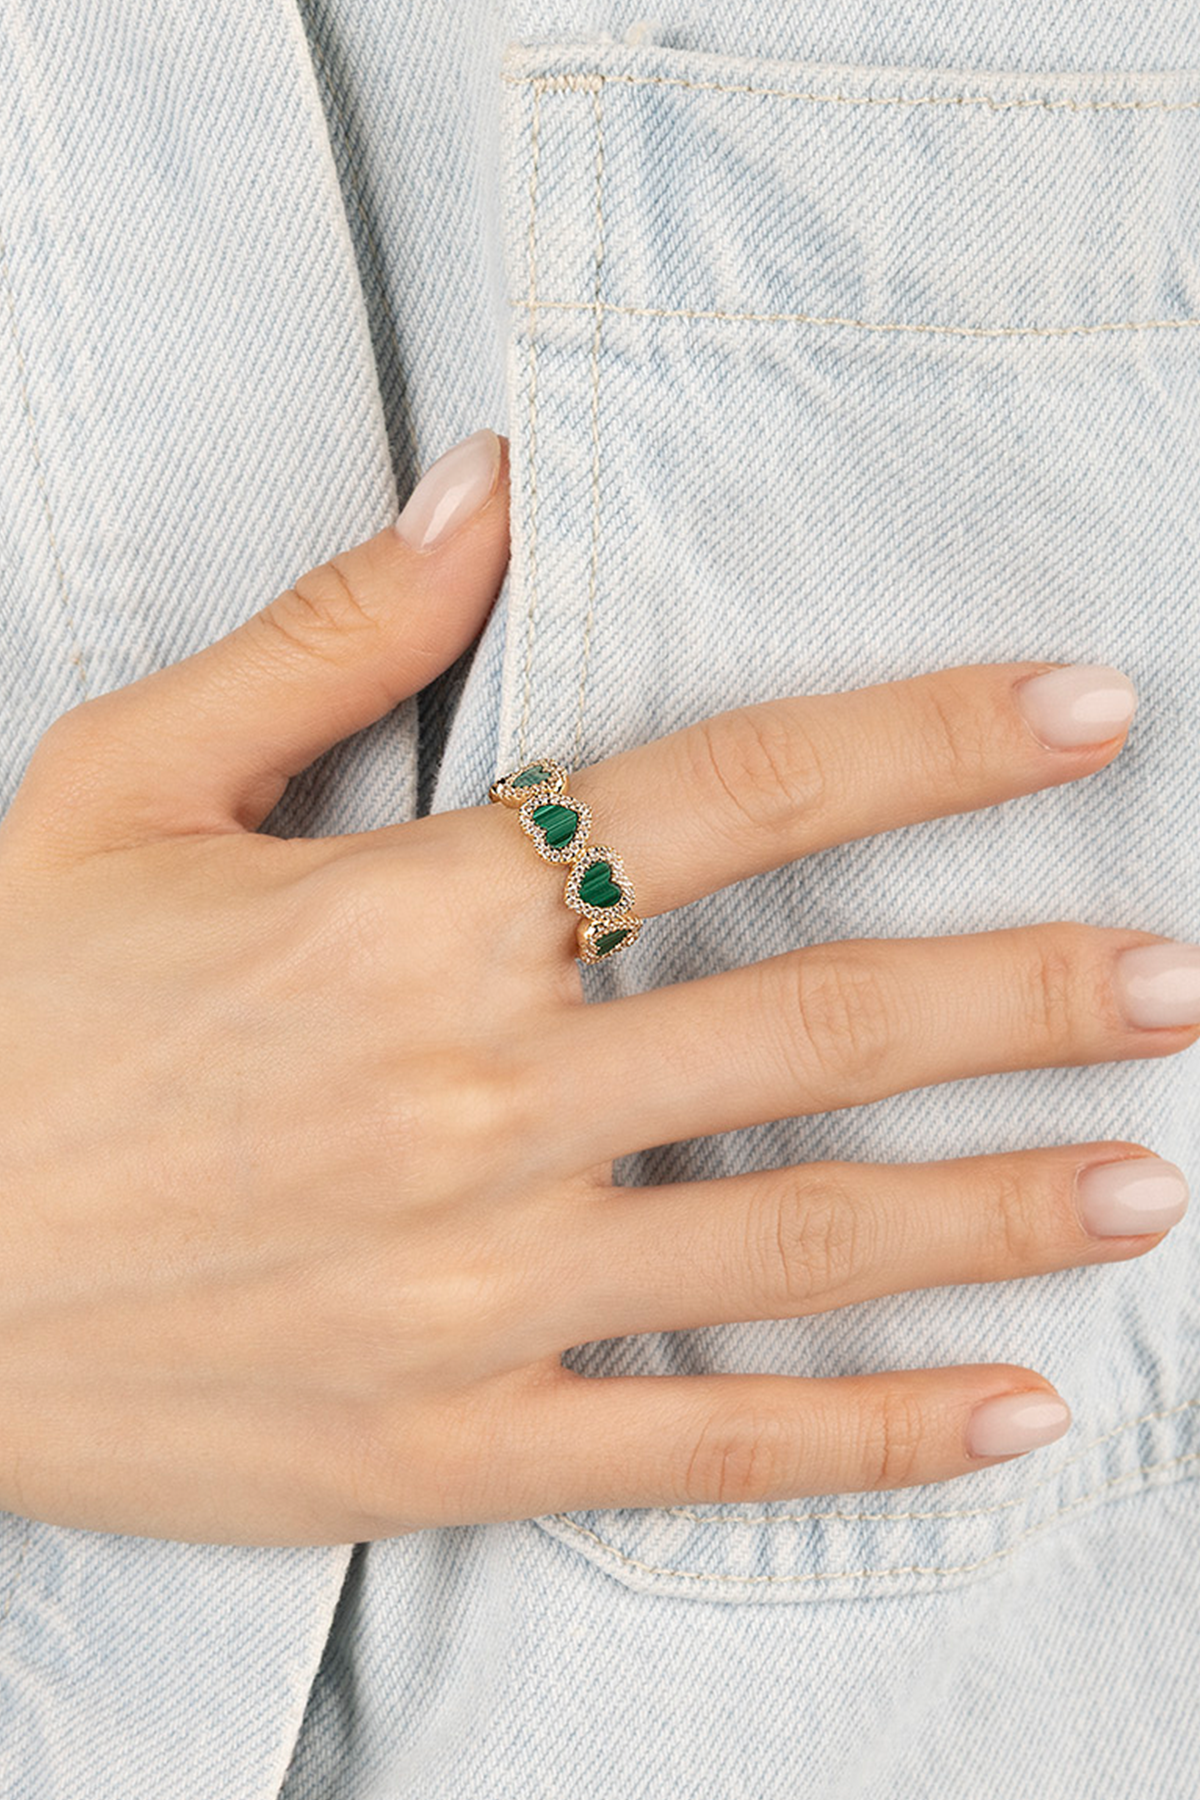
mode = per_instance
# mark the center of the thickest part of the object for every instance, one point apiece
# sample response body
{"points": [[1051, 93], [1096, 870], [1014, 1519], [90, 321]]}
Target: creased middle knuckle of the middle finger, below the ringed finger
{"points": [[841, 1016]]}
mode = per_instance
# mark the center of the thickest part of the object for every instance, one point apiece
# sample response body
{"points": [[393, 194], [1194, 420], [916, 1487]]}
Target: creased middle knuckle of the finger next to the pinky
{"points": [[809, 1245]]}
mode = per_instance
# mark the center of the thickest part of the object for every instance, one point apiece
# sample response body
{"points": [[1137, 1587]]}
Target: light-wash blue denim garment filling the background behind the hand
{"points": [[834, 346]]}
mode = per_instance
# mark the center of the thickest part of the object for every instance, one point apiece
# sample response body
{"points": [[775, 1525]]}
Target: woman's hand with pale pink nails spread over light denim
{"points": [[305, 1146]]}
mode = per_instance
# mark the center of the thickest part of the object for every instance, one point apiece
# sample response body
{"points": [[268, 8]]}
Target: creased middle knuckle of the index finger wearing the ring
{"points": [[760, 766]]}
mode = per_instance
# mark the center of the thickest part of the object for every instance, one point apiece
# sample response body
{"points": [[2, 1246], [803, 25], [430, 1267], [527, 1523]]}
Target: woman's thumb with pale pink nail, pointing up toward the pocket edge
{"points": [[210, 744]]}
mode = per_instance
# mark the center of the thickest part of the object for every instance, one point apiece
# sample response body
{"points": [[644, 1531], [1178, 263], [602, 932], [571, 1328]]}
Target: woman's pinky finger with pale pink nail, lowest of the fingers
{"points": [[661, 1441]]}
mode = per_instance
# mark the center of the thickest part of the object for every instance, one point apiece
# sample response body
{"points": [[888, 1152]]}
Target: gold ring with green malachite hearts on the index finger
{"points": [[596, 881]]}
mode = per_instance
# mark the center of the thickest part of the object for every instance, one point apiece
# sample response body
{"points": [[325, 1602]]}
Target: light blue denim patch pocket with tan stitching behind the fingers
{"points": [[823, 377]]}
